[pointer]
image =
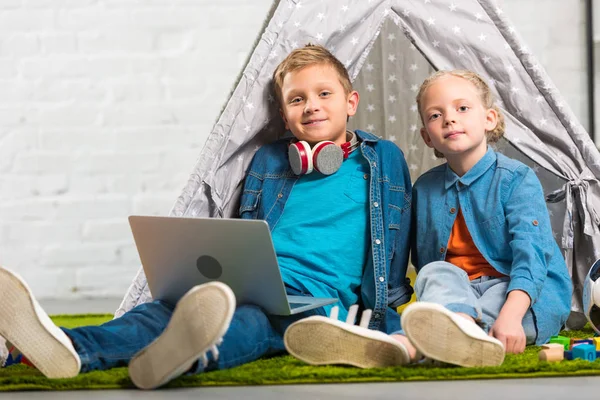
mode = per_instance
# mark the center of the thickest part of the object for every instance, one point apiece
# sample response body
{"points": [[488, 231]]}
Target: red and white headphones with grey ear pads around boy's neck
{"points": [[326, 157]]}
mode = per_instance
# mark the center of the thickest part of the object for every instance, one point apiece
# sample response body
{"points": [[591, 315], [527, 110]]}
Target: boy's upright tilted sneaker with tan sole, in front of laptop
{"points": [[198, 324]]}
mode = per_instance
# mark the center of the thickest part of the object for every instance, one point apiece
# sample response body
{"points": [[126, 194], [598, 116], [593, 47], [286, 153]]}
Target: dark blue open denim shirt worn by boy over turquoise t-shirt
{"points": [[384, 285]]}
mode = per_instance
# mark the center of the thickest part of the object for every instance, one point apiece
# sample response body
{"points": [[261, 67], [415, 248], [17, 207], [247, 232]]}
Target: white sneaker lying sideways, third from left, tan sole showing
{"points": [[318, 340]]}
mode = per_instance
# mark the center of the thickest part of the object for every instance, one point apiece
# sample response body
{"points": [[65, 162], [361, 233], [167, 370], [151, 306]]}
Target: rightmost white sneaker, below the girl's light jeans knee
{"points": [[442, 335]]}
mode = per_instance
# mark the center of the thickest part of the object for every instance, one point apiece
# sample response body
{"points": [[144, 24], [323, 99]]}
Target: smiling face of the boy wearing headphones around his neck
{"points": [[314, 105]]}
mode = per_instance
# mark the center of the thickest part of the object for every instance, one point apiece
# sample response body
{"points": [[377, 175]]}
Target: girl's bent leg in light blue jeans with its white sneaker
{"points": [[434, 326]]}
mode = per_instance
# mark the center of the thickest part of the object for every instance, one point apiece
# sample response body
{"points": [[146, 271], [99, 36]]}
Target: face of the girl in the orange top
{"points": [[455, 119]]}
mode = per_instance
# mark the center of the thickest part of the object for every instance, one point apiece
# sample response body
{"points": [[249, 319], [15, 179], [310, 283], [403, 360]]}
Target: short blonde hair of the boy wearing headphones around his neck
{"points": [[302, 57]]}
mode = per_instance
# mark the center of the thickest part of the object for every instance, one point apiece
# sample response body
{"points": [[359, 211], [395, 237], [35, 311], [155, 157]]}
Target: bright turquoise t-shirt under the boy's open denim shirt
{"points": [[322, 237]]}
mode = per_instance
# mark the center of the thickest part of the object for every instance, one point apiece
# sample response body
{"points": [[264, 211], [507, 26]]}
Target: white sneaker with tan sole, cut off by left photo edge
{"points": [[29, 329]]}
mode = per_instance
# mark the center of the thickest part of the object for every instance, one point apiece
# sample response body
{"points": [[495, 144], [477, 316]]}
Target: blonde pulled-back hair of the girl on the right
{"points": [[485, 94]]}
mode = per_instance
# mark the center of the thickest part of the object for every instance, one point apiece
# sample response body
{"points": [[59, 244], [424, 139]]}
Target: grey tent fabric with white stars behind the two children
{"points": [[389, 47]]}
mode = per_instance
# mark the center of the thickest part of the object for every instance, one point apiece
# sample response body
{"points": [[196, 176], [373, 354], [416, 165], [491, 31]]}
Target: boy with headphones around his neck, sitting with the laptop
{"points": [[340, 231]]}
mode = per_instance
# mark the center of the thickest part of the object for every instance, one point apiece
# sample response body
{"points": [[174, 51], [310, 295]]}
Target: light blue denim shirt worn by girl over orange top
{"points": [[504, 208]]}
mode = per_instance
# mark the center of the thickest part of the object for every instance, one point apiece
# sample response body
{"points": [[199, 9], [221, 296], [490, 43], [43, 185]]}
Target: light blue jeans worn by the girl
{"points": [[482, 298]]}
